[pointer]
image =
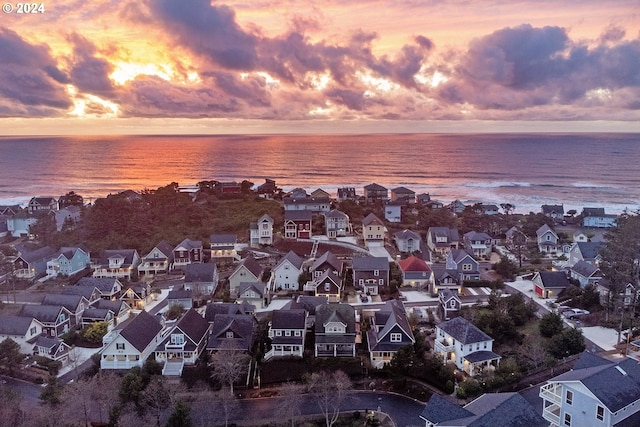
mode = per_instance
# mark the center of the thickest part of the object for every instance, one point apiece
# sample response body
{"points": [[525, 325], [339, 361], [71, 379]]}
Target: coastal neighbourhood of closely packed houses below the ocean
{"points": [[380, 283]]}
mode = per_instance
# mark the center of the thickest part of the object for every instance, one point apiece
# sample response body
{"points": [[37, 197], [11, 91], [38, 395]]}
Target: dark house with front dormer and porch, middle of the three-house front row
{"points": [[335, 331]]}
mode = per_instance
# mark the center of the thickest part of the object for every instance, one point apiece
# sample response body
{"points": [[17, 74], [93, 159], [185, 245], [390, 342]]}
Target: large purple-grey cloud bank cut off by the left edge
{"points": [[30, 81]]}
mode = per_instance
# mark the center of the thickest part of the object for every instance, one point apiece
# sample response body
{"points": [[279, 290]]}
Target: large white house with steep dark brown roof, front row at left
{"points": [[131, 343]]}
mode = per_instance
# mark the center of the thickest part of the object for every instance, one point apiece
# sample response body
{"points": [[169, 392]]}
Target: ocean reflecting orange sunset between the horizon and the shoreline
{"points": [[524, 169]]}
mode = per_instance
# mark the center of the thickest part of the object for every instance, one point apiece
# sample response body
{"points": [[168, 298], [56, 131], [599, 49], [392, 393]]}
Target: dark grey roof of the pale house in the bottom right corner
{"points": [[616, 385]]}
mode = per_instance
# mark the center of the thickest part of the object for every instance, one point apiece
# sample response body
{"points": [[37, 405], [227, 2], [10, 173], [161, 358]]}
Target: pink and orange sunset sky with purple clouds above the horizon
{"points": [[280, 66]]}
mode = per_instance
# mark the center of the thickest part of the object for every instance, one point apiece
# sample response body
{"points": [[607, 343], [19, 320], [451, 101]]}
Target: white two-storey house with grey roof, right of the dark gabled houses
{"points": [[463, 343]]}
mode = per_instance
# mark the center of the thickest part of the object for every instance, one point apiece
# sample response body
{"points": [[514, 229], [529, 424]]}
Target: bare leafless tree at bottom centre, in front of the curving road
{"points": [[330, 391]]}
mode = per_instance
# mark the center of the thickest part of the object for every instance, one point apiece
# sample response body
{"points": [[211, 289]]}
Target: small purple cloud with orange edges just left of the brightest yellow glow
{"points": [[89, 73]]}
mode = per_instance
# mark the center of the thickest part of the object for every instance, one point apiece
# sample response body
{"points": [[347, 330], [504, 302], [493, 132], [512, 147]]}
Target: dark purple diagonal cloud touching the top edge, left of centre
{"points": [[208, 30]]}
